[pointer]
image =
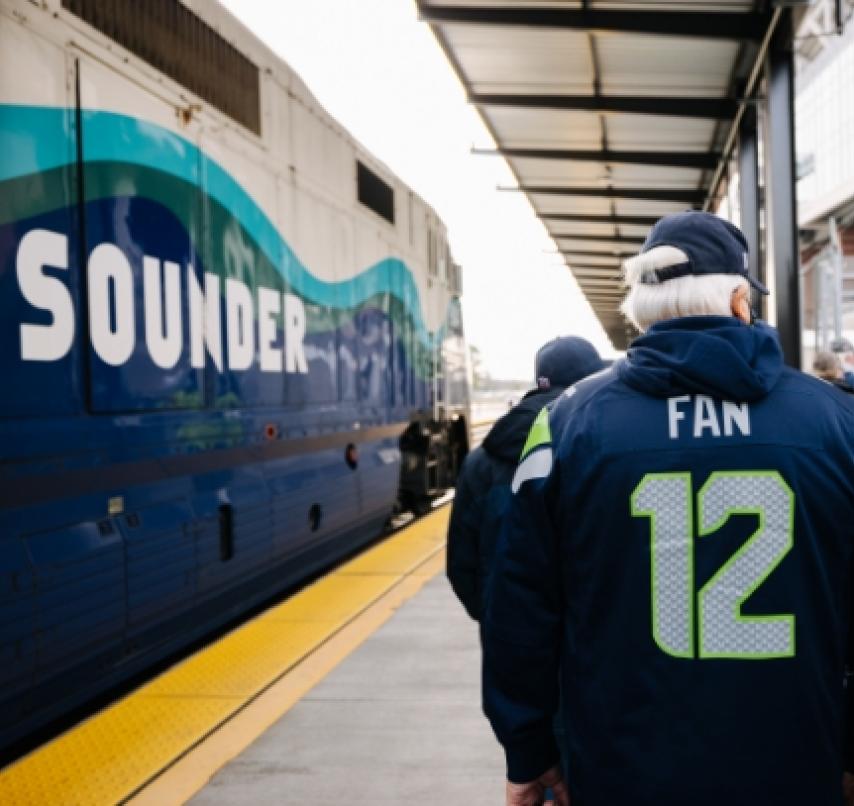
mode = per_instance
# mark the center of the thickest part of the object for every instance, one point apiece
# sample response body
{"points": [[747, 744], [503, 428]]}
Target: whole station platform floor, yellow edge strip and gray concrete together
{"points": [[361, 688]]}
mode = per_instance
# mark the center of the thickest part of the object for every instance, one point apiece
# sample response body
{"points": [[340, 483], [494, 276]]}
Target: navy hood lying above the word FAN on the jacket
{"points": [[718, 356]]}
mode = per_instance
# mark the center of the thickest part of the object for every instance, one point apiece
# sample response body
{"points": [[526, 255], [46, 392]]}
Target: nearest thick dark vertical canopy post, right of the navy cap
{"points": [[780, 183]]}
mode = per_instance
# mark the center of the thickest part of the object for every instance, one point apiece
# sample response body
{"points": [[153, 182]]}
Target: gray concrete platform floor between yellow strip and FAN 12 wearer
{"points": [[398, 721]]}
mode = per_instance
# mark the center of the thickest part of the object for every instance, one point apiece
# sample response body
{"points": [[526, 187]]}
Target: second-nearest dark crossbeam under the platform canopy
{"points": [[713, 108]]}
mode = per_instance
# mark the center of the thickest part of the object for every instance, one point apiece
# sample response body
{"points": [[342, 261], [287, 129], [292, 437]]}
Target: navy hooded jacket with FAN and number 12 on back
{"points": [[680, 547]]}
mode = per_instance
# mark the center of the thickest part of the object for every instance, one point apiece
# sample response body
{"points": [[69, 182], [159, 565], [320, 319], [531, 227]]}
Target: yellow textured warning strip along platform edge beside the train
{"points": [[162, 742]]}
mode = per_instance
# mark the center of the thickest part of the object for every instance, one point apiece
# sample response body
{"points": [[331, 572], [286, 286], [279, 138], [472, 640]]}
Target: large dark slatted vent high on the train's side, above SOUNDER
{"points": [[173, 39]]}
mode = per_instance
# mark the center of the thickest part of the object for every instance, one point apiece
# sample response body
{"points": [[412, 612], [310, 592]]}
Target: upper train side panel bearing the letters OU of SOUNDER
{"points": [[142, 229]]}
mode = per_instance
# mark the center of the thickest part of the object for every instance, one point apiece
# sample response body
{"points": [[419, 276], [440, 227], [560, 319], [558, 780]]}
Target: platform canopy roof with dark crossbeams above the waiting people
{"points": [[610, 114]]}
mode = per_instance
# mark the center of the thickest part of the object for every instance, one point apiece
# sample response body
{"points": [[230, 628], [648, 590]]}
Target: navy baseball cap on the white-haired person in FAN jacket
{"points": [[712, 244]]}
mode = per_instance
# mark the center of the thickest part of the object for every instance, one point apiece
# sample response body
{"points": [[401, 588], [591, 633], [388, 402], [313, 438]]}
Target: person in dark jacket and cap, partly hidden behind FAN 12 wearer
{"points": [[483, 488]]}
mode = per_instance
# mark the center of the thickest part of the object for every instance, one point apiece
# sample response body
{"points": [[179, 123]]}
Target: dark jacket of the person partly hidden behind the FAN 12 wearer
{"points": [[482, 498]]}
